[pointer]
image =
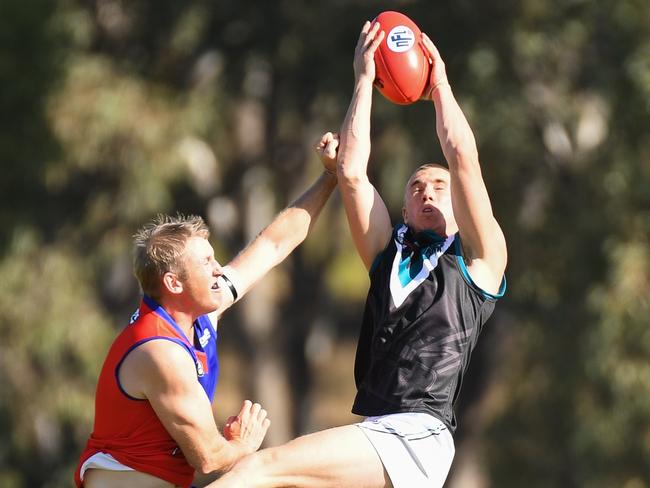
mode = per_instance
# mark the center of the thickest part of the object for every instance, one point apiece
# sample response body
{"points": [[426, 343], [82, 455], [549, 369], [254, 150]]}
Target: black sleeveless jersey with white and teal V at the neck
{"points": [[422, 320]]}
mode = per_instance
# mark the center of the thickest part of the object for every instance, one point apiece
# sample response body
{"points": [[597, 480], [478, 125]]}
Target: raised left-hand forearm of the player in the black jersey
{"points": [[354, 150]]}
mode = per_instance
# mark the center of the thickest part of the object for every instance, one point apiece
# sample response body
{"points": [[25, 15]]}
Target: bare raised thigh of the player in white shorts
{"points": [[341, 457]]}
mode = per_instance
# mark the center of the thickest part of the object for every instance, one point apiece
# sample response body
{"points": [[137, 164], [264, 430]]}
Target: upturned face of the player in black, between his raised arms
{"points": [[427, 201]]}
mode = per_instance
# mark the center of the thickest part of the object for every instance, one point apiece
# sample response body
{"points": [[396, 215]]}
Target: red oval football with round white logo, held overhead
{"points": [[402, 66]]}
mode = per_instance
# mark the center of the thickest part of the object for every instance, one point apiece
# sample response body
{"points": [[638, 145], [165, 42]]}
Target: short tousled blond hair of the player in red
{"points": [[158, 248]]}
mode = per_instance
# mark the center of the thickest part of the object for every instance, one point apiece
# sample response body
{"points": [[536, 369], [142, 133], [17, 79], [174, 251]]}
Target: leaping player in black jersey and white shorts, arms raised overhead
{"points": [[434, 281]]}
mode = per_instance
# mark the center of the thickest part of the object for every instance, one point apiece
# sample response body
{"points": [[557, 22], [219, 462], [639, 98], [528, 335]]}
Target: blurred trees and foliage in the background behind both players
{"points": [[116, 110]]}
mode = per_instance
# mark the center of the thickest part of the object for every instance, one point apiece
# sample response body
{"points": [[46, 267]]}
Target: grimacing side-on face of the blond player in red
{"points": [[201, 272]]}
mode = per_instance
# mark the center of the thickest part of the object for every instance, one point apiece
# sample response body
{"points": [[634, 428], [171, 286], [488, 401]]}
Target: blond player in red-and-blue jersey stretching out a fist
{"points": [[154, 424]]}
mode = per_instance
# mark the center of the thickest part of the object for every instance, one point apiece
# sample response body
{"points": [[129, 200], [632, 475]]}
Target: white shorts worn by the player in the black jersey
{"points": [[415, 448]]}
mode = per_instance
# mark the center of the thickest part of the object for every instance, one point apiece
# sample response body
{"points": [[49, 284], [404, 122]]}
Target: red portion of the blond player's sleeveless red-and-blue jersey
{"points": [[127, 428]]}
